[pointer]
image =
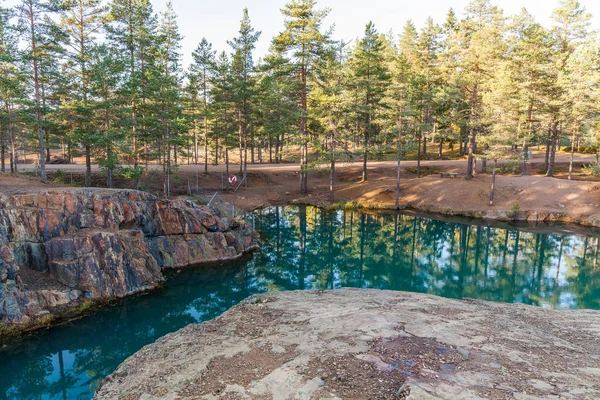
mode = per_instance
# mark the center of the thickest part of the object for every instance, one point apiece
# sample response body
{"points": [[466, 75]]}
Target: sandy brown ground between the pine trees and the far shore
{"points": [[271, 184]]}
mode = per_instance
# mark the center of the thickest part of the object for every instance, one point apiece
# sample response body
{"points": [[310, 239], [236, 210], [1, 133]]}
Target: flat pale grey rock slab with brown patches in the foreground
{"points": [[369, 344]]}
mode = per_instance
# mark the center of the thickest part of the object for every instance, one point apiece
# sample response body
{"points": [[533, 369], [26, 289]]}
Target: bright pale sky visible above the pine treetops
{"points": [[218, 21]]}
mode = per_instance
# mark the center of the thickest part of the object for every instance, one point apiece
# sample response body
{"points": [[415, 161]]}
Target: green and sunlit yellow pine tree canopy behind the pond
{"points": [[104, 80]]}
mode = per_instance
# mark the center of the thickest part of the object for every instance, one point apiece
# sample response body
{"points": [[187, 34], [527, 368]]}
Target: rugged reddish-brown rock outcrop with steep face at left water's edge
{"points": [[59, 247]]}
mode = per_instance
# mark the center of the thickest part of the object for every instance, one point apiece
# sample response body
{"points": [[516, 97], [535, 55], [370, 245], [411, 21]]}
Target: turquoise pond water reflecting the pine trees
{"points": [[309, 248]]}
